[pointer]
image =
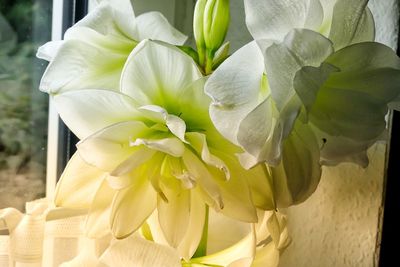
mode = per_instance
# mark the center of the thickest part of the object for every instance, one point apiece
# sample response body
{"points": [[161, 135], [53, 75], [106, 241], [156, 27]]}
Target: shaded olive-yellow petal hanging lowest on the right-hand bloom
{"points": [[299, 172]]}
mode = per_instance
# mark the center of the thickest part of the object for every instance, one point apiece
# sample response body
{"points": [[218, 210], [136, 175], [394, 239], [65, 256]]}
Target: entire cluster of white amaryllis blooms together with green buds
{"points": [[172, 137]]}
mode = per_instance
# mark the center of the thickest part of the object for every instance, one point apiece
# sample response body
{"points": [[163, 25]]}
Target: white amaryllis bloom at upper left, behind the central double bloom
{"points": [[95, 49]]}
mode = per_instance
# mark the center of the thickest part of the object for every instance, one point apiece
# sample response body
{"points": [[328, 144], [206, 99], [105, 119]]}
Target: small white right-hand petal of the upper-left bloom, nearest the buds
{"points": [[154, 26]]}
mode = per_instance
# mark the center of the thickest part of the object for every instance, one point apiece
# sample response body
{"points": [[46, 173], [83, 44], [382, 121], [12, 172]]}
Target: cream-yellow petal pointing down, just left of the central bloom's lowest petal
{"points": [[133, 205]]}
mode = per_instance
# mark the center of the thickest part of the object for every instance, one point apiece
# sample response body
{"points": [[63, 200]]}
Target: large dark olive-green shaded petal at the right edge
{"points": [[352, 102]]}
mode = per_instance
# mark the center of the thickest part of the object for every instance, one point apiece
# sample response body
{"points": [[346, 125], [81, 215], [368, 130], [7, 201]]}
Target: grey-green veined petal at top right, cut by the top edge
{"points": [[352, 22]]}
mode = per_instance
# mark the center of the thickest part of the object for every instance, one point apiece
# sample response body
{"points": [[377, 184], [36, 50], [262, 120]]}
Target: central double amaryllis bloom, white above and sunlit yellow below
{"points": [[152, 144]]}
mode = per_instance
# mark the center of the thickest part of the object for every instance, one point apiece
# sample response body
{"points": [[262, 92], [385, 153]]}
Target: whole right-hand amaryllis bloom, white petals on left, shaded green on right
{"points": [[312, 85]]}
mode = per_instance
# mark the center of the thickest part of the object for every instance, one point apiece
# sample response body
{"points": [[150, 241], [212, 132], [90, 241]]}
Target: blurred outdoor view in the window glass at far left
{"points": [[24, 25]]}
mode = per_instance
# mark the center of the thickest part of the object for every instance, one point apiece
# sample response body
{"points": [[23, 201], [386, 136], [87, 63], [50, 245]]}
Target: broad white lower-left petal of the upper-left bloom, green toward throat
{"points": [[76, 66]]}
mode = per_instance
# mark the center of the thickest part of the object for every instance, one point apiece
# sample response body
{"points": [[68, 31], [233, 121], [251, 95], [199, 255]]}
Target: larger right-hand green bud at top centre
{"points": [[216, 23]]}
